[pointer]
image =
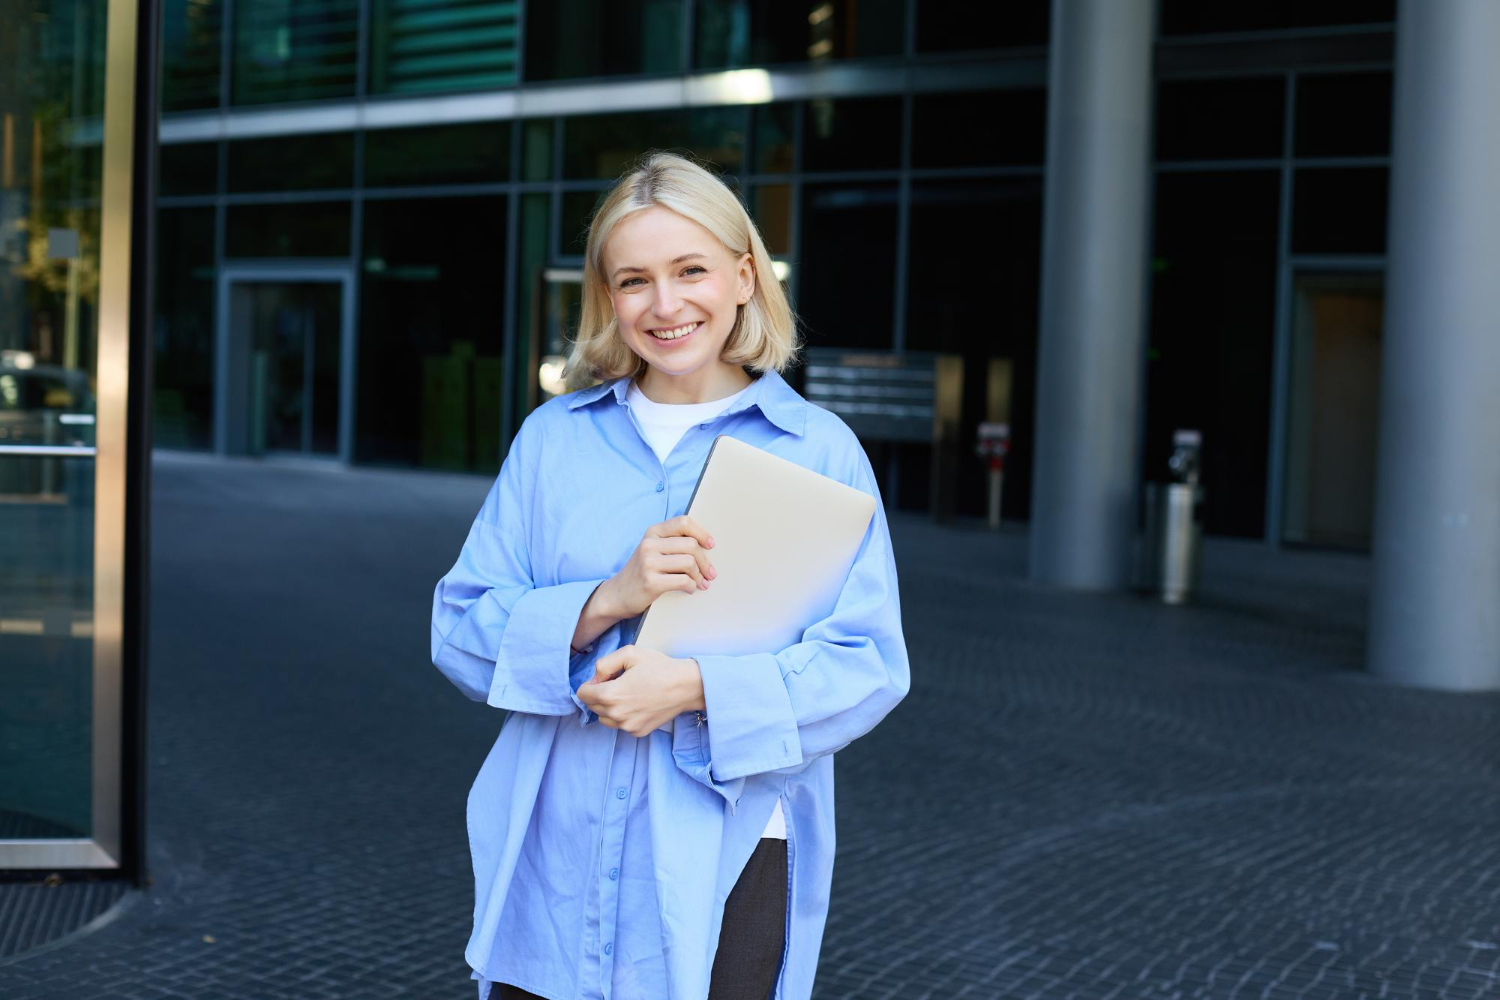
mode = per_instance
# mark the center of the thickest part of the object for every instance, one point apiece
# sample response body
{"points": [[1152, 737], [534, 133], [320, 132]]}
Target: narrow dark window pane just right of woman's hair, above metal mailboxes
{"points": [[847, 298]]}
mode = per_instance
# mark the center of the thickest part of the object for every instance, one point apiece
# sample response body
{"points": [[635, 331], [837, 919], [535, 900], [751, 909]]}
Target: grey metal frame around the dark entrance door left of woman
{"points": [[283, 274]]}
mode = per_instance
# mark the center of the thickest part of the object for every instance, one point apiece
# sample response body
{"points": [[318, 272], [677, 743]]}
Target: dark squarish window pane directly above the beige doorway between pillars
{"points": [[1340, 211]]}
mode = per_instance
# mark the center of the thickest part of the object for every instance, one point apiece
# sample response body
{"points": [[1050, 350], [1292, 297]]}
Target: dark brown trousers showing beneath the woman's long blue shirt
{"points": [[752, 936]]}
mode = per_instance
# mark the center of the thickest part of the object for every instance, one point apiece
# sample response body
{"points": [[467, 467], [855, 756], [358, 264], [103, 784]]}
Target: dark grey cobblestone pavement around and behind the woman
{"points": [[1085, 797]]}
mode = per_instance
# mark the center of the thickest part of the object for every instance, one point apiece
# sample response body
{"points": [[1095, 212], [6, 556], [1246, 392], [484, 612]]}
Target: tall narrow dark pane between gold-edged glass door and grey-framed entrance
{"points": [[184, 334]]}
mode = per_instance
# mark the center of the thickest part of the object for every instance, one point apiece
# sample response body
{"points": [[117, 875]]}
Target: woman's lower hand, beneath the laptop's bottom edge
{"points": [[643, 690]]}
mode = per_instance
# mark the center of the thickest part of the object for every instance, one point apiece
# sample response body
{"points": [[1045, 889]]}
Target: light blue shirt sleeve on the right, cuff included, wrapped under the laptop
{"points": [[781, 710]]}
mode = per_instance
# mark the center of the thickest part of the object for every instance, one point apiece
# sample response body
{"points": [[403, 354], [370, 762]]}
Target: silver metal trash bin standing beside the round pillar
{"points": [[1174, 528]]}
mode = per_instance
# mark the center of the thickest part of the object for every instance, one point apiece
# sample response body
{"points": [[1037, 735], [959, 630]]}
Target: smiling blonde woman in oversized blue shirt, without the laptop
{"points": [[650, 827]]}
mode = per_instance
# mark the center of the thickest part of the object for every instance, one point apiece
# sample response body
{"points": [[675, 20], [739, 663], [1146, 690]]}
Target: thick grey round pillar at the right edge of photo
{"points": [[1435, 614]]}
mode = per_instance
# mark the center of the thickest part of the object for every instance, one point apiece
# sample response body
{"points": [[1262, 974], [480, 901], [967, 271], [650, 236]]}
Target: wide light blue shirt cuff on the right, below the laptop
{"points": [[751, 726]]}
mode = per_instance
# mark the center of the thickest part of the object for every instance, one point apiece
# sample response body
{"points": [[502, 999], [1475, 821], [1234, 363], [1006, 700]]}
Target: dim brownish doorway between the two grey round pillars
{"points": [[1333, 410]]}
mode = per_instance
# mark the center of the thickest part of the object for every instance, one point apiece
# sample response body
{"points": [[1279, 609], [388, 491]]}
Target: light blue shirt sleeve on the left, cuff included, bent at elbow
{"points": [[496, 635]]}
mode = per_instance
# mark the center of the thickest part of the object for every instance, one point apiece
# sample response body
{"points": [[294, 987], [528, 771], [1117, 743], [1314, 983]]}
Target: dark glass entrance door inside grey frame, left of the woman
{"points": [[286, 373]]}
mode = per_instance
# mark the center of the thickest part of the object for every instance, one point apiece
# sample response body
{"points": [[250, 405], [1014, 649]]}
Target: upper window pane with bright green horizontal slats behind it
{"points": [[422, 47]]}
